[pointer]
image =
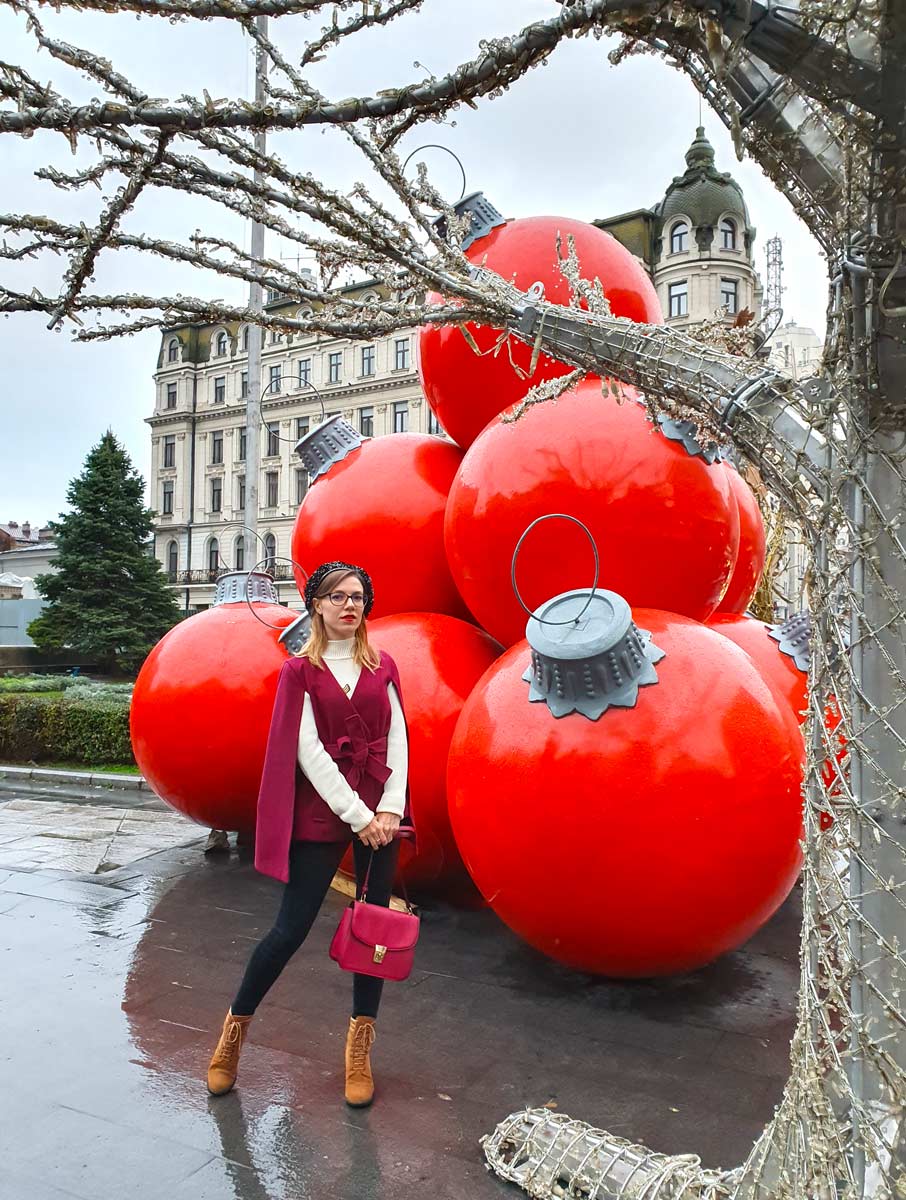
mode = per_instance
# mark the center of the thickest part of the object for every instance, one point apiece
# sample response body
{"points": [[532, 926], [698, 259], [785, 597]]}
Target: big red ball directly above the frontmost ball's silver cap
{"points": [[665, 524]]}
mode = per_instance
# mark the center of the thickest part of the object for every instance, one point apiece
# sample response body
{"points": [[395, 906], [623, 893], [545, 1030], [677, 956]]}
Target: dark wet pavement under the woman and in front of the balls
{"points": [[115, 987]]}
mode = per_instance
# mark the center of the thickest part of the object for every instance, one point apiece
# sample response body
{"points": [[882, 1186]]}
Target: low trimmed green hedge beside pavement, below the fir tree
{"points": [[70, 728]]}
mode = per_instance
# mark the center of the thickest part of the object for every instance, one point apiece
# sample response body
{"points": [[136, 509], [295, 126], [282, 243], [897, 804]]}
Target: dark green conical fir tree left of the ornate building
{"points": [[109, 598]]}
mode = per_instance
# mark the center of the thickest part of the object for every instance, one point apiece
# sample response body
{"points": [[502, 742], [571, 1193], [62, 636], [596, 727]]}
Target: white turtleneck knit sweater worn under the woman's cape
{"points": [[321, 770]]}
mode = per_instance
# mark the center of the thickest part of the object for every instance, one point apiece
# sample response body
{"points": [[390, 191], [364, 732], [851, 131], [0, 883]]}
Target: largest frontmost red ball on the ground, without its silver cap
{"points": [[649, 842]]}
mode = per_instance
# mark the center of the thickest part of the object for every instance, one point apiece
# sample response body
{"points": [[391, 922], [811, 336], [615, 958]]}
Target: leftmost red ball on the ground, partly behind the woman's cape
{"points": [[202, 709]]}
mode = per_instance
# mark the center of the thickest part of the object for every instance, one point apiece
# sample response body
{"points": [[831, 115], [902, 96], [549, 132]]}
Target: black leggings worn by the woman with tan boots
{"points": [[313, 866]]}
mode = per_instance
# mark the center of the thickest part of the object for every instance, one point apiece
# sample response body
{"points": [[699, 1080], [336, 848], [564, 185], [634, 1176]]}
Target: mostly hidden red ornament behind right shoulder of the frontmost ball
{"points": [[779, 652]]}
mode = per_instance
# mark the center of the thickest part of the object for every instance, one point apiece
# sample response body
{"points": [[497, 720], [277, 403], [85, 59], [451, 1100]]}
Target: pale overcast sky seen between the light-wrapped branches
{"points": [[577, 137]]}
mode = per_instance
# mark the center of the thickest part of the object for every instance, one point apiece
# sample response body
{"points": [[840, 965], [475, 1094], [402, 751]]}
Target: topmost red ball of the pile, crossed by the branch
{"points": [[466, 392]]}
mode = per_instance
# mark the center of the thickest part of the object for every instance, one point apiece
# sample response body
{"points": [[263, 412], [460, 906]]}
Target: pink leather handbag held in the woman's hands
{"points": [[377, 941]]}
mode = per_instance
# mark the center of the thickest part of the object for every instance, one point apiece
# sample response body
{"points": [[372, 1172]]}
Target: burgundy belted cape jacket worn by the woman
{"points": [[353, 731]]}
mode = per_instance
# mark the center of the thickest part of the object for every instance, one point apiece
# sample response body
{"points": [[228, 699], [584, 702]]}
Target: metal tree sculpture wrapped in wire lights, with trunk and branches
{"points": [[815, 95]]}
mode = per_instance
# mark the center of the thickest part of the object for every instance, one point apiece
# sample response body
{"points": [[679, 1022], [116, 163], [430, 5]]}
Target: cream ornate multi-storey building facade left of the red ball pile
{"points": [[200, 446]]}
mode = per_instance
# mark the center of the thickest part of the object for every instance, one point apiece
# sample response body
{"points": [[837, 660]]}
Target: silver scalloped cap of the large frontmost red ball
{"points": [[587, 662]]}
